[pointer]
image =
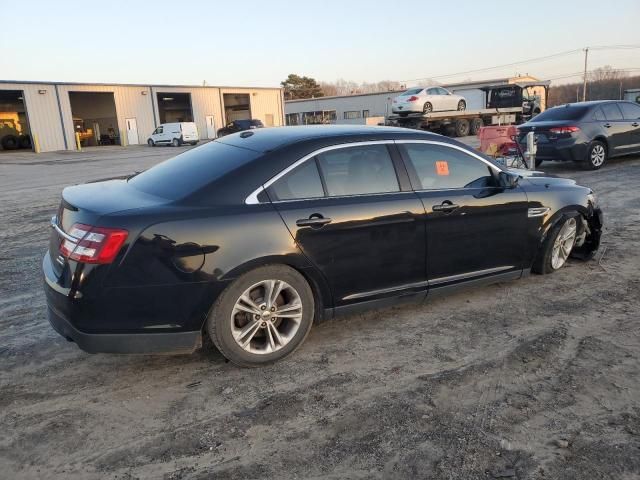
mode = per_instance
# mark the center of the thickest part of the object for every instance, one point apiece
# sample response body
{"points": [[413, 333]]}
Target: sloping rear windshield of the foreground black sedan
{"points": [[180, 176]]}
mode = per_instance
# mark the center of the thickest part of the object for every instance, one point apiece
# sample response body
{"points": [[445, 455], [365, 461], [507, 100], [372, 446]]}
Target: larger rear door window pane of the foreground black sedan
{"points": [[358, 170]]}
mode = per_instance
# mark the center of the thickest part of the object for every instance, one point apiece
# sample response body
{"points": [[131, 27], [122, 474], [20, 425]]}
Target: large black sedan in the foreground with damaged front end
{"points": [[252, 237]]}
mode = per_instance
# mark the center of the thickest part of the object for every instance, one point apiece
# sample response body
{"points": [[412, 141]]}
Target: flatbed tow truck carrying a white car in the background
{"points": [[505, 106]]}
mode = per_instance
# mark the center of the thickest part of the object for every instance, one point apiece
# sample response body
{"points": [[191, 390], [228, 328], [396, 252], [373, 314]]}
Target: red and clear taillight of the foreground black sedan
{"points": [[93, 244]]}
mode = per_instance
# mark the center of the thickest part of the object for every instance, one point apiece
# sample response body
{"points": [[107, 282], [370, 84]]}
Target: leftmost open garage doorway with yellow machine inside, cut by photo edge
{"points": [[14, 124]]}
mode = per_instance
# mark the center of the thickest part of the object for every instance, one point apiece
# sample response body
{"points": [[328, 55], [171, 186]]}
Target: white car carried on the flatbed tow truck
{"points": [[427, 100]]}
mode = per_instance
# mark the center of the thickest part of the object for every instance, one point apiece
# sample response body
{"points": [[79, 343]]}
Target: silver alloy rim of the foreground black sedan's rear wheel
{"points": [[266, 316]]}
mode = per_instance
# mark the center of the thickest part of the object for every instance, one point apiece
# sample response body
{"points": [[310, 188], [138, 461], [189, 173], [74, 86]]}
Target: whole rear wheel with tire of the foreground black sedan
{"points": [[227, 321]]}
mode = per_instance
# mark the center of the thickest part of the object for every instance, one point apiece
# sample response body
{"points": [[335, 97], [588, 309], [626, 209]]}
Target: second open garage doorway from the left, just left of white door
{"points": [[94, 118]]}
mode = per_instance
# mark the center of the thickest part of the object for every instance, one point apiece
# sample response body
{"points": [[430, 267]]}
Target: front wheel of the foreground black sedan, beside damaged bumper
{"points": [[546, 260]]}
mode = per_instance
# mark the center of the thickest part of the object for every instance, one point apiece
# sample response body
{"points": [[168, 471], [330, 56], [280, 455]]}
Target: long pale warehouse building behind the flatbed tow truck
{"points": [[373, 108]]}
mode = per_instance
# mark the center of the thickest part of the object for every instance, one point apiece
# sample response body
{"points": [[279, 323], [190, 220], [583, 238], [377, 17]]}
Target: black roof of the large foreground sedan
{"points": [[270, 139]]}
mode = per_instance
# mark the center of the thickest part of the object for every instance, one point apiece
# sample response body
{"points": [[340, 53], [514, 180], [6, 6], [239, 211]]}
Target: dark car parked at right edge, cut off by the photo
{"points": [[585, 132]]}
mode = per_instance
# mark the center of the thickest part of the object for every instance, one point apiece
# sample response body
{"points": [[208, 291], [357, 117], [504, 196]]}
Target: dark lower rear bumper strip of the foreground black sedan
{"points": [[179, 342]]}
